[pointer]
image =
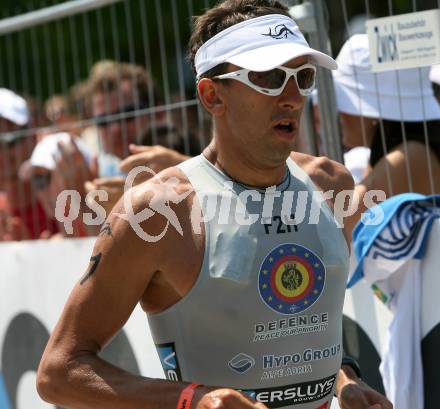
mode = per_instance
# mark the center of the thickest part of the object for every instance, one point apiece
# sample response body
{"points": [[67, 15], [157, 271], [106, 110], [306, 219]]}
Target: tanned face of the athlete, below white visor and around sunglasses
{"points": [[264, 127]]}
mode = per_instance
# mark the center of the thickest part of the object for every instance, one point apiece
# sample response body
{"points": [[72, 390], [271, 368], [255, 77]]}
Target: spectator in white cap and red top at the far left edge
{"points": [[21, 215]]}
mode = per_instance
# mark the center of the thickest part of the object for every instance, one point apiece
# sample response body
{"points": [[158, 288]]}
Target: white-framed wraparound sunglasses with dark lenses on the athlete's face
{"points": [[272, 82]]}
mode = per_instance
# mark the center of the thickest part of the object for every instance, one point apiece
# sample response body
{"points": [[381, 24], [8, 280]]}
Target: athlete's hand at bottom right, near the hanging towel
{"points": [[353, 393]]}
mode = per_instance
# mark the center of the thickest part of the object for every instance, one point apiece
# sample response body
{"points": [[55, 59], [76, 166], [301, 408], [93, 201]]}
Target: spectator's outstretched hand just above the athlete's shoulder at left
{"points": [[157, 158]]}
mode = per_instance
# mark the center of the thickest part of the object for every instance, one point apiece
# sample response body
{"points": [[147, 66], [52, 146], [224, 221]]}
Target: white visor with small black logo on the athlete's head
{"points": [[258, 44]]}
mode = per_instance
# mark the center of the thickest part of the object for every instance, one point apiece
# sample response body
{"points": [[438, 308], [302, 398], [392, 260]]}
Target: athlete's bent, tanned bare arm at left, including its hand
{"points": [[121, 270]]}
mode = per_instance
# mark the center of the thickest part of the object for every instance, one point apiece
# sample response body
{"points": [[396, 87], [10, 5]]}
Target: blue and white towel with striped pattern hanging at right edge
{"points": [[389, 255]]}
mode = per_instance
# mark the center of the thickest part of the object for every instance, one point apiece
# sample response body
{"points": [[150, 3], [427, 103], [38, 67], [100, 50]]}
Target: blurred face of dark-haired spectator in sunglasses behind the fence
{"points": [[116, 135]]}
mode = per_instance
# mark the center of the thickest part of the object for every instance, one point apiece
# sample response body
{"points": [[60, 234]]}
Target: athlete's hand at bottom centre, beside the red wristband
{"points": [[225, 399]]}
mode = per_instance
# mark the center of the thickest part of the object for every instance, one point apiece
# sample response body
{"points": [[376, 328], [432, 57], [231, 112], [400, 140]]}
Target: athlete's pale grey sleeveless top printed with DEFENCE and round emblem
{"points": [[265, 314]]}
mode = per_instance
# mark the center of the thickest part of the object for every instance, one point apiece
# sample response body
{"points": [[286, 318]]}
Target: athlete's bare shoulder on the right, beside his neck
{"points": [[327, 174]]}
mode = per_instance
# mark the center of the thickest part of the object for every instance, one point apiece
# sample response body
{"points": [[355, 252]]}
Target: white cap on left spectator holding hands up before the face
{"points": [[45, 152]]}
